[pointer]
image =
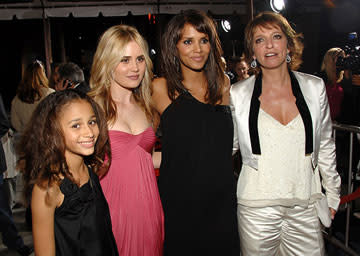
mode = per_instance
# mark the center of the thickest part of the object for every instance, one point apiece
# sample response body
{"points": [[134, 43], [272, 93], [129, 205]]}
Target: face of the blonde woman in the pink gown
{"points": [[130, 71]]}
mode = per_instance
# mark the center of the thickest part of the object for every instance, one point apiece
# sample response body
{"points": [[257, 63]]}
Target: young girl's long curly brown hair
{"points": [[41, 149]]}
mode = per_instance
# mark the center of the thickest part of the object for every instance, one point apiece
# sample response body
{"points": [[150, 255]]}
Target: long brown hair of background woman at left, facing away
{"points": [[34, 78]]}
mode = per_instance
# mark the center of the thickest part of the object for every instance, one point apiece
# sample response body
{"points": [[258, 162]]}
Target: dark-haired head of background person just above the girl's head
{"points": [[71, 76]]}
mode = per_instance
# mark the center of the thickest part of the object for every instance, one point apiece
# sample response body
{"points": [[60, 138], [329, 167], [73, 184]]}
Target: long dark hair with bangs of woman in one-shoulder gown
{"points": [[214, 67]]}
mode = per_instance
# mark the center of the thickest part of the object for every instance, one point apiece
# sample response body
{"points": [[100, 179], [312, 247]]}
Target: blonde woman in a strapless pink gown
{"points": [[120, 81]]}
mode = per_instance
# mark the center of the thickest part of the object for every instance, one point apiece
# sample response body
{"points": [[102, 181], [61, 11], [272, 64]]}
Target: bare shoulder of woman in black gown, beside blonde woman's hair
{"points": [[160, 94]]}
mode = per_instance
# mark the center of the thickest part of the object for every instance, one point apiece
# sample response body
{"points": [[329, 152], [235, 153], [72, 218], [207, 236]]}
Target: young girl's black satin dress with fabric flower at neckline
{"points": [[82, 222]]}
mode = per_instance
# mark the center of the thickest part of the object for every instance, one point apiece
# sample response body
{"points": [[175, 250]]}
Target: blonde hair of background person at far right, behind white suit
{"points": [[329, 65]]}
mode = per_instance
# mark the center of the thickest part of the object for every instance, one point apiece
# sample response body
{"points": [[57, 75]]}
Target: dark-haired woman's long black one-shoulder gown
{"points": [[196, 183]]}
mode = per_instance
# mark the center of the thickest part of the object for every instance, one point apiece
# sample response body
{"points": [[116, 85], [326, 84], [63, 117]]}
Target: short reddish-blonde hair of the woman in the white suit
{"points": [[271, 19]]}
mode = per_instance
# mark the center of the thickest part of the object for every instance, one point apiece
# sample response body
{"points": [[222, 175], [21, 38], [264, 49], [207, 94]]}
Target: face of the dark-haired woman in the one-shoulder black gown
{"points": [[193, 48]]}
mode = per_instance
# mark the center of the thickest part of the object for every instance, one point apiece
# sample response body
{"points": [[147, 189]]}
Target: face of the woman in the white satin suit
{"points": [[270, 47]]}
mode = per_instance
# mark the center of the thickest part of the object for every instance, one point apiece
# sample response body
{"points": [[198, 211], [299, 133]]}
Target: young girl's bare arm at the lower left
{"points": [[43, 204]]}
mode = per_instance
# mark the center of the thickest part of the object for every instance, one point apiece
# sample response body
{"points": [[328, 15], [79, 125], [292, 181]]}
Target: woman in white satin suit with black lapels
{"points": [[283, 129]]}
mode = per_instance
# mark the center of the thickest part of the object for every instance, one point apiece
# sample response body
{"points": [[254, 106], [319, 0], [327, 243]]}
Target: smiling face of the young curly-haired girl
{"points": [[80, 129]]}
